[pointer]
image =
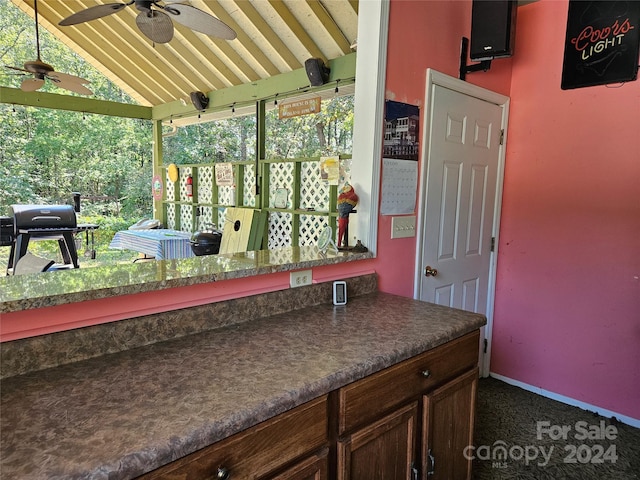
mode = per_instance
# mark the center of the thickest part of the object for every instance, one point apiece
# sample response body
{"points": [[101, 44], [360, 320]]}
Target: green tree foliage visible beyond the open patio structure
{"points": [[45, 155]]}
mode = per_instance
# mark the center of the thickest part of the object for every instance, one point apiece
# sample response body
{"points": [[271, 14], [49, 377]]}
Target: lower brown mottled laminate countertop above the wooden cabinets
{"points": [[121, 415]]}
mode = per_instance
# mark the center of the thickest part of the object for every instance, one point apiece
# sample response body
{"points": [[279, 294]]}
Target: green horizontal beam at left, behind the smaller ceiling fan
{"points": [[15, 96]]}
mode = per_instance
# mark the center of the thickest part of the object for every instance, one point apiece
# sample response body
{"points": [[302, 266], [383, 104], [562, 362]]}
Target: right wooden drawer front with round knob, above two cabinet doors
{"points": [[367, 399]]}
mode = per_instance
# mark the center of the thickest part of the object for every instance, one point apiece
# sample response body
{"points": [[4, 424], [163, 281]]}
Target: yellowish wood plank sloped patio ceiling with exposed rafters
{"points": [[273, 37]]}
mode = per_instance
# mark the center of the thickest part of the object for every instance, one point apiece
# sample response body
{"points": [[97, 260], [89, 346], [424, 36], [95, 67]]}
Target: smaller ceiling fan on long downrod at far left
{"points": [[42, 71]]}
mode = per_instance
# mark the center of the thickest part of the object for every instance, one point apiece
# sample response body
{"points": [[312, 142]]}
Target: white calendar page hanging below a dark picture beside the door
{"points": [[399, 186]]}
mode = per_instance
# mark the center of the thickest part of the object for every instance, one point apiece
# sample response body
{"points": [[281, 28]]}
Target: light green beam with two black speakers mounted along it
{"points": [[343, 69]]}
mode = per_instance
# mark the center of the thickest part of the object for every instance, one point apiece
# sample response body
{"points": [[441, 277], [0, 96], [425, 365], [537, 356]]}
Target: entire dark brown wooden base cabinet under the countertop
{"points": [[389, 425]]}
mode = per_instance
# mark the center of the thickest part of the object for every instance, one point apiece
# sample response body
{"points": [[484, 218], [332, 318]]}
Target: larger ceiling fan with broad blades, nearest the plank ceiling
{"points": [[155, 19]]}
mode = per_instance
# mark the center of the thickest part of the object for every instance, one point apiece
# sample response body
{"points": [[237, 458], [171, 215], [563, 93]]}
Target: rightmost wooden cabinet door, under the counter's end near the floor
{"points": [[448, 418]]}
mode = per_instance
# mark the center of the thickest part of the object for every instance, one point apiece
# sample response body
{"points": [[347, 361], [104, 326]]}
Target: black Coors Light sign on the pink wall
{"points": [[602, 43]]}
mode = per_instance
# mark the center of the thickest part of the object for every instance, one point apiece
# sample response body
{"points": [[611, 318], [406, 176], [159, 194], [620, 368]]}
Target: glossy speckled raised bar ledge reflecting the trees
{"points": [[23, 292]]}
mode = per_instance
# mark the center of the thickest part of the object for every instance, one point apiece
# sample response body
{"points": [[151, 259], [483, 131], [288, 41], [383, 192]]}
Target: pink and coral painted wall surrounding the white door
{"points": [[567, 311]]}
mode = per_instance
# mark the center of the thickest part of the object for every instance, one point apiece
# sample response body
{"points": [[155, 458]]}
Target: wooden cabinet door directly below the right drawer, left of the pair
{"points": [[383, 450]]}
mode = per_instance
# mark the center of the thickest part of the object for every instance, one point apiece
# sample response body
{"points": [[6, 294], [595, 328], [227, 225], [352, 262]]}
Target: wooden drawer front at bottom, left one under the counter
{"points": [[258, 450]]}
